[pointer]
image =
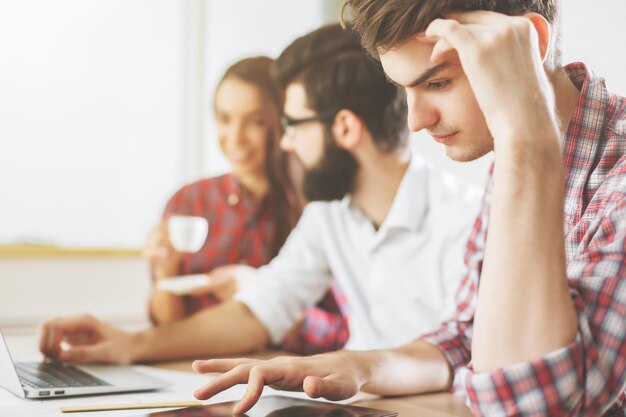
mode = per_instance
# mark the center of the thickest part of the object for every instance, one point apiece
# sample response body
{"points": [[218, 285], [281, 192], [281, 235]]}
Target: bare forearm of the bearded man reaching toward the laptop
{"points": [[228, 328]]}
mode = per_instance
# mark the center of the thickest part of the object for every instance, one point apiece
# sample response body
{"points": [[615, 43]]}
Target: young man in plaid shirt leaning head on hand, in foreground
{"points": [[540, 324]]}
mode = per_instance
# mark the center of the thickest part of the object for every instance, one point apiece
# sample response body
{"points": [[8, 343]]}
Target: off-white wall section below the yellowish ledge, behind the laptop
{"points": [[36, 289]]}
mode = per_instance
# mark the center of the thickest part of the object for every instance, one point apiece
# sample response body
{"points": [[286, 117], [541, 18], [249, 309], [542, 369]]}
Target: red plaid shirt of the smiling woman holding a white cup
{"points": [[241, 232]]}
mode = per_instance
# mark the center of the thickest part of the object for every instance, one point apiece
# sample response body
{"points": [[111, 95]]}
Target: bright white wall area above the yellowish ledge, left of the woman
{"points": [[91, 111]]}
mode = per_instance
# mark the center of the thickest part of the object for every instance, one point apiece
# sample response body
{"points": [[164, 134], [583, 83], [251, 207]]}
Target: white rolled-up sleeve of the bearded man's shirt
{"points": [[295, 280]]}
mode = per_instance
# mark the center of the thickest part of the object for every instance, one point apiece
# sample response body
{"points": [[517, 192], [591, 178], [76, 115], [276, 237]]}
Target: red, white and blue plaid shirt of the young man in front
{"points": [[587, 377]]}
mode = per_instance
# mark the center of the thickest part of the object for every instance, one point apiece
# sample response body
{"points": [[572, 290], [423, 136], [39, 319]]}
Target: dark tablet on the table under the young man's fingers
{"points": [[278, 406]]}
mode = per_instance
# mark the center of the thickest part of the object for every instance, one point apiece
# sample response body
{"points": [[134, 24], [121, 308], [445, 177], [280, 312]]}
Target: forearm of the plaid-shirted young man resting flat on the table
{"points": [[414, 368]]}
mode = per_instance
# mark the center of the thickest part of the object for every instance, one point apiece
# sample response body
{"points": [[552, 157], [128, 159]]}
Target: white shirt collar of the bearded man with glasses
{"points": [[409, 204]]}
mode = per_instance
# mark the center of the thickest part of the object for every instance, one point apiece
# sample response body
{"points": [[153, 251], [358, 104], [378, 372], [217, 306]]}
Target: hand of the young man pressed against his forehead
{"points": [[502, 57]]}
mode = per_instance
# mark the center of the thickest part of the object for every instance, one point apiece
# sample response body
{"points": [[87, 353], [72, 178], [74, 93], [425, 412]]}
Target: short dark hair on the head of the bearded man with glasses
{"points": [[337, 74]]}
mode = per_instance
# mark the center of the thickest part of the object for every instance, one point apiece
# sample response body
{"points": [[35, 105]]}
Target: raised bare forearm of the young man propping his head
{"points": [[524, 309]]}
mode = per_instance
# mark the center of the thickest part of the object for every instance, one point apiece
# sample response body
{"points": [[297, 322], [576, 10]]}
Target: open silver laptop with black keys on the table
{"points": [[44, 380]]}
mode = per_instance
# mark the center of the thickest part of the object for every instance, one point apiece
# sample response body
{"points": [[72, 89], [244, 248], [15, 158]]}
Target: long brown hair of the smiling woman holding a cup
{"points": [[284, 202]]}
